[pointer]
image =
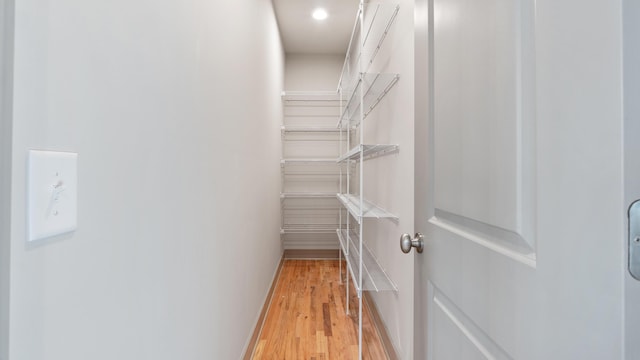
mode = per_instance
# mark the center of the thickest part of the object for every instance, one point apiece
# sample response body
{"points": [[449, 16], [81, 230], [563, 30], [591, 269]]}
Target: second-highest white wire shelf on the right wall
{"points": [[375, 87]]}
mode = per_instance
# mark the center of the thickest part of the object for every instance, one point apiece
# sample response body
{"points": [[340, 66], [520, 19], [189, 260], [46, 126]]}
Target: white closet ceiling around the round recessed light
{"points": [[302, 34]]}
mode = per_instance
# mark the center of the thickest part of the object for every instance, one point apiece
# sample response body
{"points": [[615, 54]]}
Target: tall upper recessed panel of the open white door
{"points": [[482, 157]]}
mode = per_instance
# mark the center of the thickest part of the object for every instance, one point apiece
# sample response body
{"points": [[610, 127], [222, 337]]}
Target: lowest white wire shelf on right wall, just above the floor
{"points": [[374, 278]]}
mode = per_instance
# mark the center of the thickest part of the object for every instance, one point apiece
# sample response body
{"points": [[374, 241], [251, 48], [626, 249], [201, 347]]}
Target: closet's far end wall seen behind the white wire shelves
{"points": [[311, 73]]}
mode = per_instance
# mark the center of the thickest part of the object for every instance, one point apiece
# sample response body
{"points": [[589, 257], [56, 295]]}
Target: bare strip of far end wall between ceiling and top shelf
{"points": [[312, 72]]}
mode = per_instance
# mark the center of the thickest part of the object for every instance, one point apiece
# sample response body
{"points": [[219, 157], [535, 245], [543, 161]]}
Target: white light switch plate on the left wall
{"points": [[52, 193]]}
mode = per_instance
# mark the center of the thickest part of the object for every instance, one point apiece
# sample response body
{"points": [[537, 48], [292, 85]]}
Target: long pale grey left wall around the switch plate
{"points": [[174, 109]]}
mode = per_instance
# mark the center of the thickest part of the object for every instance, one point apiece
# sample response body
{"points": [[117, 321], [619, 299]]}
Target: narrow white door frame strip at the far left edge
{"points": [[6, 26]]}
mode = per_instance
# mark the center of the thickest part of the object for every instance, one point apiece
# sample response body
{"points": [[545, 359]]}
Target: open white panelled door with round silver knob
{"points": [[519, 181]]}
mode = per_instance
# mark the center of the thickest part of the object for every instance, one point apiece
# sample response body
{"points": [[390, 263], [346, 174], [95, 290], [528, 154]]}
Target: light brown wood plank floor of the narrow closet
{"points": [[307, 318]]}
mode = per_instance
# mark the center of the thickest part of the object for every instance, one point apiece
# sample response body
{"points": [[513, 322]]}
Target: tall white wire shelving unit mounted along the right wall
{"points": [[361, 91]]}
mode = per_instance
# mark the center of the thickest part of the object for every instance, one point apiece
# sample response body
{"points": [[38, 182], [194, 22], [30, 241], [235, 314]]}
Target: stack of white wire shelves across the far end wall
{"points": [[309, 172]]}
